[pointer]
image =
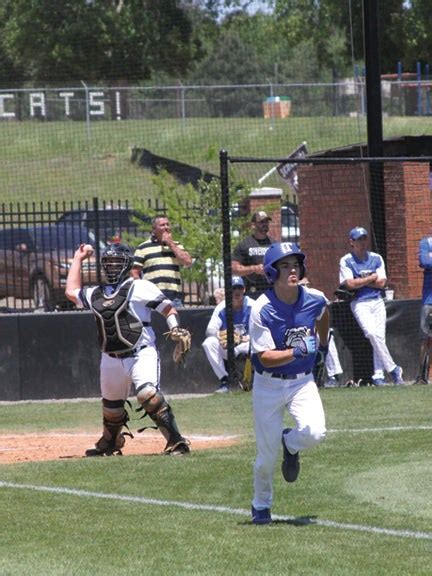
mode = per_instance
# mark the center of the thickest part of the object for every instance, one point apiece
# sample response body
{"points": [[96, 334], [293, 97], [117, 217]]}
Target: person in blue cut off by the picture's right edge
{"points": [[425, 262]]}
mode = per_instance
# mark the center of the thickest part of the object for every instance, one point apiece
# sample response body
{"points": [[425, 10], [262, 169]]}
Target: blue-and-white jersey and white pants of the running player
{"points": [[275, 325]]}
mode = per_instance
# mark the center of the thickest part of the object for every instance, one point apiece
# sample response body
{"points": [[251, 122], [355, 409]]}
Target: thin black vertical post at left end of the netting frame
{"points": [[226, 231]]}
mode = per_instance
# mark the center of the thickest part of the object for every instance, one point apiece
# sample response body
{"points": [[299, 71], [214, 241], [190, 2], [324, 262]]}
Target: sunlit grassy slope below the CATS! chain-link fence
{"points": [[60, 161]]}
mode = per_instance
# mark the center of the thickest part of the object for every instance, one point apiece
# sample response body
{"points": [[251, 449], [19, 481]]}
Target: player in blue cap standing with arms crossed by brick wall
{"points": [[364, 272]]}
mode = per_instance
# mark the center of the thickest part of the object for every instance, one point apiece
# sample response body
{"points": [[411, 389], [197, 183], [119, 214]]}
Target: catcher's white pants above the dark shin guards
{"points": [[117, 375]]}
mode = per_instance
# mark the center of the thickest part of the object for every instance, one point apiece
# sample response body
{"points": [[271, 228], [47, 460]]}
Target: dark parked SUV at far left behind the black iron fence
{"points": [[34, 263]]}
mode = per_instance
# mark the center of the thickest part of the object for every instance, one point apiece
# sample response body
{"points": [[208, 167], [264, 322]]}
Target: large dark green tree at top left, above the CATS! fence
{"points": [[96, 40]]}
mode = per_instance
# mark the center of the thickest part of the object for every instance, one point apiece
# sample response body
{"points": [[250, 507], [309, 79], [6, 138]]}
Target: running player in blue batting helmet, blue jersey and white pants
{"points": [[284, 325]]}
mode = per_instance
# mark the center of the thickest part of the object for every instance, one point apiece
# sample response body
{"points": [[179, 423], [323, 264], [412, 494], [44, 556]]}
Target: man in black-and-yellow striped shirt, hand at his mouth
{"points": [[159, 258]]}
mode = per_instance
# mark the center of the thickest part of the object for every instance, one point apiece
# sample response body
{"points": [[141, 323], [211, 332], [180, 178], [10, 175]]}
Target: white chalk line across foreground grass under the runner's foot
{"points": [[221, 509]]}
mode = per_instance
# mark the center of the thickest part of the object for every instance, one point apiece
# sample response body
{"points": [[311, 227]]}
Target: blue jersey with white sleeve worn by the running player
{"points": [[275, 325]]}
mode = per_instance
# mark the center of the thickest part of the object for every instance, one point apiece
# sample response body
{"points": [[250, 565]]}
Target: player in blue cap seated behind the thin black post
{"points": [[215, 344]]}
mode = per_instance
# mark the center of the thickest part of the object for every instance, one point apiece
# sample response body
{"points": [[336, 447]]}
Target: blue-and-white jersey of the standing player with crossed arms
{"points": [[351, 266]]}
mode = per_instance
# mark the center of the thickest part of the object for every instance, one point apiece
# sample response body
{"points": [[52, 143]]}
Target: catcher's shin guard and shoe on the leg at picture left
{"points": [[112, 439]]}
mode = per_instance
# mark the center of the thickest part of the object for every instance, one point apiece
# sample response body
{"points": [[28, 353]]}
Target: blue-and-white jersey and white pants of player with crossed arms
{"points": [[368, 307]]}
